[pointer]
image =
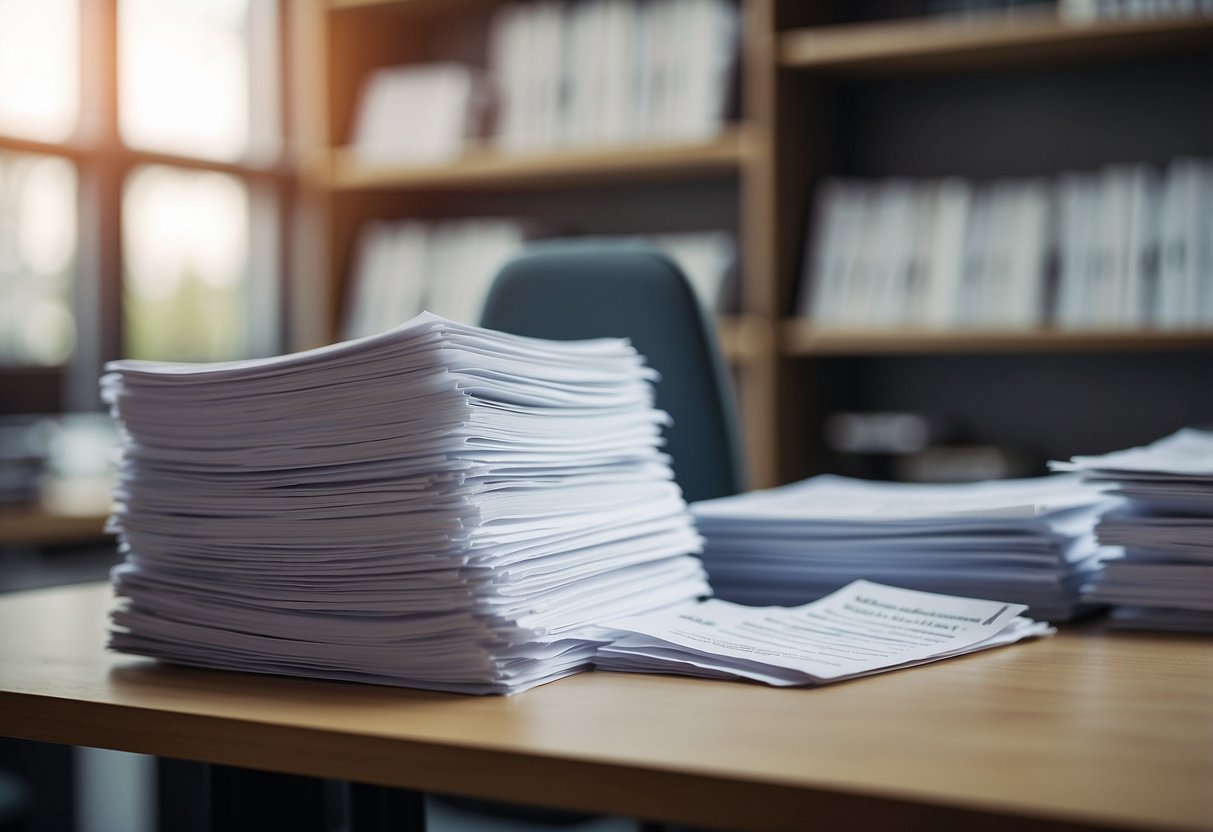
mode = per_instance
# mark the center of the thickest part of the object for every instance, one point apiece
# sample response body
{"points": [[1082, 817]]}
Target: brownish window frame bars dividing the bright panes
{"points": [[104, 162]]}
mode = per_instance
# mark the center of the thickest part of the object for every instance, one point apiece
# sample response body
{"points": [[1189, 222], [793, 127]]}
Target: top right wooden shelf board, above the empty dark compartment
{"points": [[959, 44]]}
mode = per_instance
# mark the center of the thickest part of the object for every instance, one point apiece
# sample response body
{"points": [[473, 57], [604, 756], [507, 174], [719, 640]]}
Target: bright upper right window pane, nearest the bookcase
{"points": [[184, 77]]}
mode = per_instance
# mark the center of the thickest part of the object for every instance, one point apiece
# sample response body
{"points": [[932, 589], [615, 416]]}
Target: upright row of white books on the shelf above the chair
{"points": [[611, 72]]}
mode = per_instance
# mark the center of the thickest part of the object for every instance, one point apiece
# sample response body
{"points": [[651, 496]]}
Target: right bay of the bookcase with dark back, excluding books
{"points": [[986, 98]]}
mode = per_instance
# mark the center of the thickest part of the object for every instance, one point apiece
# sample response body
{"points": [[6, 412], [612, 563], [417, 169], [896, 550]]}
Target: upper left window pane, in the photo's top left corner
{"points": [[39, 69]]}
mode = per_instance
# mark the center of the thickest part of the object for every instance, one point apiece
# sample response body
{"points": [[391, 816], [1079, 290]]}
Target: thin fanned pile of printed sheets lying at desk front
{"points": [[861, 630]]}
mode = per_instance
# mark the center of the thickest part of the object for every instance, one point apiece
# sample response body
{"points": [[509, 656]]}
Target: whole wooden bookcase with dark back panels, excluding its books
{"points": [[825, 95]]}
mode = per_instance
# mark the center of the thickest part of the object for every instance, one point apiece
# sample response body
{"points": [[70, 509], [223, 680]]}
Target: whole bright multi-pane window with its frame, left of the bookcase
{"points": [[143, 189]]}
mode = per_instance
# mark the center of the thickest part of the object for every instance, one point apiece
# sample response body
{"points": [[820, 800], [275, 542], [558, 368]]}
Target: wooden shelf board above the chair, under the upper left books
{"points": [[493, 170]]}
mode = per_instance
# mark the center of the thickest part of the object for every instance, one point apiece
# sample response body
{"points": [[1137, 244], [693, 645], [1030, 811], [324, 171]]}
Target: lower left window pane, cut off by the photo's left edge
{"points": [[38, 246]]}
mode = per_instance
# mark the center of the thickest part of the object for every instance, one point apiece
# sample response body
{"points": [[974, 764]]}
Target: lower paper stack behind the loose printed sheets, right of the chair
{"points": [[1028, 542]]}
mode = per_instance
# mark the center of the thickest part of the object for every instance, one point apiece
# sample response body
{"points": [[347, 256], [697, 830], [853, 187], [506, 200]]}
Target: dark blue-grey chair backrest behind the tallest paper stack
{"points": [[585, 290]]}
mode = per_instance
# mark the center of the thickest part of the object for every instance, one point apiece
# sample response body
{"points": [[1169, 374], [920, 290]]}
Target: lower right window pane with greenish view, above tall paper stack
{"points": [[186, 252]]}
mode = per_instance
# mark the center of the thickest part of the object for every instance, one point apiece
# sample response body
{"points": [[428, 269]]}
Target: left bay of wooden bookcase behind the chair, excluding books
{"points": [[352, 38]]}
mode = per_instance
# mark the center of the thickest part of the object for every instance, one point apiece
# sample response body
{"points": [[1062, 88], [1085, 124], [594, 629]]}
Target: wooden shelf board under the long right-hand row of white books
{"points": [[801, 339]]}
